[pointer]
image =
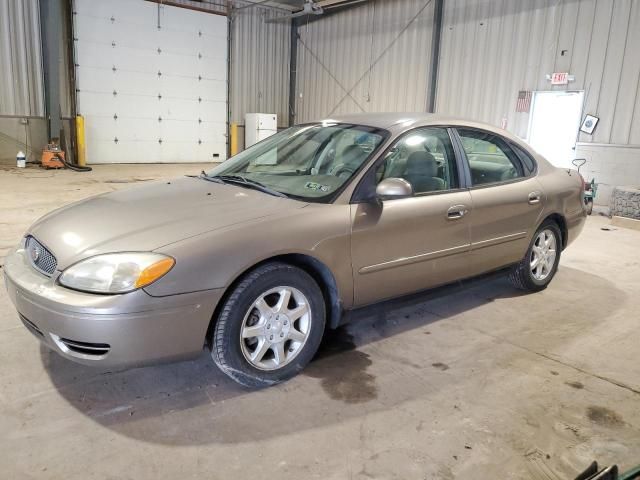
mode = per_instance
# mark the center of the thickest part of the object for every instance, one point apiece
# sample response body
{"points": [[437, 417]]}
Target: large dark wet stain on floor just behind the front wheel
{"points": [[343, 369]]}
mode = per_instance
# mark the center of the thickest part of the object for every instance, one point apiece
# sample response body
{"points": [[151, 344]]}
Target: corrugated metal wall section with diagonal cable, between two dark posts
{"points": [[372, 57]]}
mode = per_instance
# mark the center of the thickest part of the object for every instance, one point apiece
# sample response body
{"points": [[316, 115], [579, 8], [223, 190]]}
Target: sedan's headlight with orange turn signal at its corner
{"points": [[116, 272]]}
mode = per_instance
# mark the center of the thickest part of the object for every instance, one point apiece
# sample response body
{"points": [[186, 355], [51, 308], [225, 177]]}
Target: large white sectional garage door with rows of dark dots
{"points": [[152, 83]]}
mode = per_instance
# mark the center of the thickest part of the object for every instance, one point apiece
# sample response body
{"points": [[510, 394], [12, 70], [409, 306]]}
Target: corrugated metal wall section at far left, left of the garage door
{"points": [[21, 87]]}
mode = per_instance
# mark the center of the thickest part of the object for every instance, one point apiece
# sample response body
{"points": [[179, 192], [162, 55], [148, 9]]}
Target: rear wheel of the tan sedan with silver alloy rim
{"points": [[523, 276]]}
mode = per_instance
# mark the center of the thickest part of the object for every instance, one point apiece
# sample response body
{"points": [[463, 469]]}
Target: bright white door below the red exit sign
{"points": [[554, 124]]}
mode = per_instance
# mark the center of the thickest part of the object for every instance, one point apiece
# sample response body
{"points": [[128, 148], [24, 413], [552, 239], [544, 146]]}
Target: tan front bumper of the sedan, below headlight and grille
{"points": [[108, 330]]}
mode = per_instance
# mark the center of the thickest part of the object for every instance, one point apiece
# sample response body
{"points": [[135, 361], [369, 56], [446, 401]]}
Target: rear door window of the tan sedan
{"points": [[490, 158]]}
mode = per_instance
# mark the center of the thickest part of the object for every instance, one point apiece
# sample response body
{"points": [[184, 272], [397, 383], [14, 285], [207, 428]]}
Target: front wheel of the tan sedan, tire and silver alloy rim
{"points": [[274, 349]]}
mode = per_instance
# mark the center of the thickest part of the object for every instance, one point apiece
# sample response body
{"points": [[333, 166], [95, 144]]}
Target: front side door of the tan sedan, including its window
{"points": [[405, 245]]}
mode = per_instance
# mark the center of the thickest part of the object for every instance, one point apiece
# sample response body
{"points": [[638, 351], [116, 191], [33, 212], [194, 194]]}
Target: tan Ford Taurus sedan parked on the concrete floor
{"points": [[256, 258]]}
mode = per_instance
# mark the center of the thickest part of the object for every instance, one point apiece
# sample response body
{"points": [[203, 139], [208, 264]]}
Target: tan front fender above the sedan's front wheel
{"points": [[216, 259]]}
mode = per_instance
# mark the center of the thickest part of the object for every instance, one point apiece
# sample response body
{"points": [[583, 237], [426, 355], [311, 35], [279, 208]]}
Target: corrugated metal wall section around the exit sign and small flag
{"points": [[491, 49]]}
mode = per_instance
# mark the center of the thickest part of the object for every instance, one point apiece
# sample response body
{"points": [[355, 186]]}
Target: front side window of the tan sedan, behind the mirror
{"points": [[424, 158]]}
